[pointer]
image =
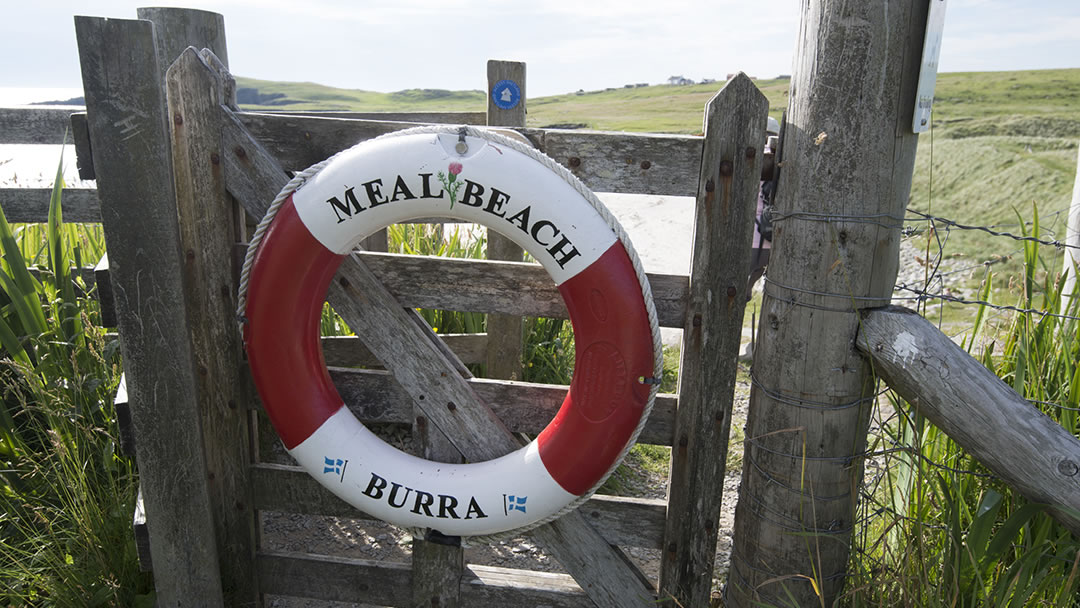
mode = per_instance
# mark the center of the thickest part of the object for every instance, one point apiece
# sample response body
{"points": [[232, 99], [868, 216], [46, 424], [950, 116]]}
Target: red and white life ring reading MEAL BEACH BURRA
{"points": [[474, 177]]}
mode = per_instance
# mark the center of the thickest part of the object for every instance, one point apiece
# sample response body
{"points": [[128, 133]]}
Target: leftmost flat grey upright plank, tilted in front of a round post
{"points": [[128, 125]]}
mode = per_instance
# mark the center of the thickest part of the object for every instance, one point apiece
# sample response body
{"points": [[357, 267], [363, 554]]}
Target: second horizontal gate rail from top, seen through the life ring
{"points": [[516, 289]]}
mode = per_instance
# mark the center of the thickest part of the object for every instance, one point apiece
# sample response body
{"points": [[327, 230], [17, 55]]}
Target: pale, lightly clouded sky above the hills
{"points": [[568, 45]]}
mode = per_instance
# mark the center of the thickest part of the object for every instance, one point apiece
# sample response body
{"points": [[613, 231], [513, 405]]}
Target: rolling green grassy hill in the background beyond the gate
{"points": [[1002, 141]]}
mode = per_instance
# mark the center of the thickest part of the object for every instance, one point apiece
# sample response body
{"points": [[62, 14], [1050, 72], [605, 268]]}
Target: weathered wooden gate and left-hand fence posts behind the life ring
{"points": [[179, 167]]}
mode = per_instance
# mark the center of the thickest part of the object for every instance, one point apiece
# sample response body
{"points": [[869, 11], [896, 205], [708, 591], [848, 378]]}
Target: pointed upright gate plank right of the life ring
{"points": [[727, 199]]}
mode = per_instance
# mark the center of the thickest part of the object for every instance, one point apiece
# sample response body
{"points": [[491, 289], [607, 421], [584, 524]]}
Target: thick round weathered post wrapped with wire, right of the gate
{"points": [[849, 154]]}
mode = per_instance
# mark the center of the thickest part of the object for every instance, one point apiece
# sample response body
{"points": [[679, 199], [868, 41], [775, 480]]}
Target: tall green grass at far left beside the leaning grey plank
{"points": [[66, 493]]}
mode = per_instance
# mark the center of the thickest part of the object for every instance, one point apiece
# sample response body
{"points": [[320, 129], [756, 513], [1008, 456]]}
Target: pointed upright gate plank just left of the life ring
{"points": [[197, 89]]}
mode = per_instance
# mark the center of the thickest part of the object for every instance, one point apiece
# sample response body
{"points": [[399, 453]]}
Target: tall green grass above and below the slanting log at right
{"points": [[938, 530]]}
